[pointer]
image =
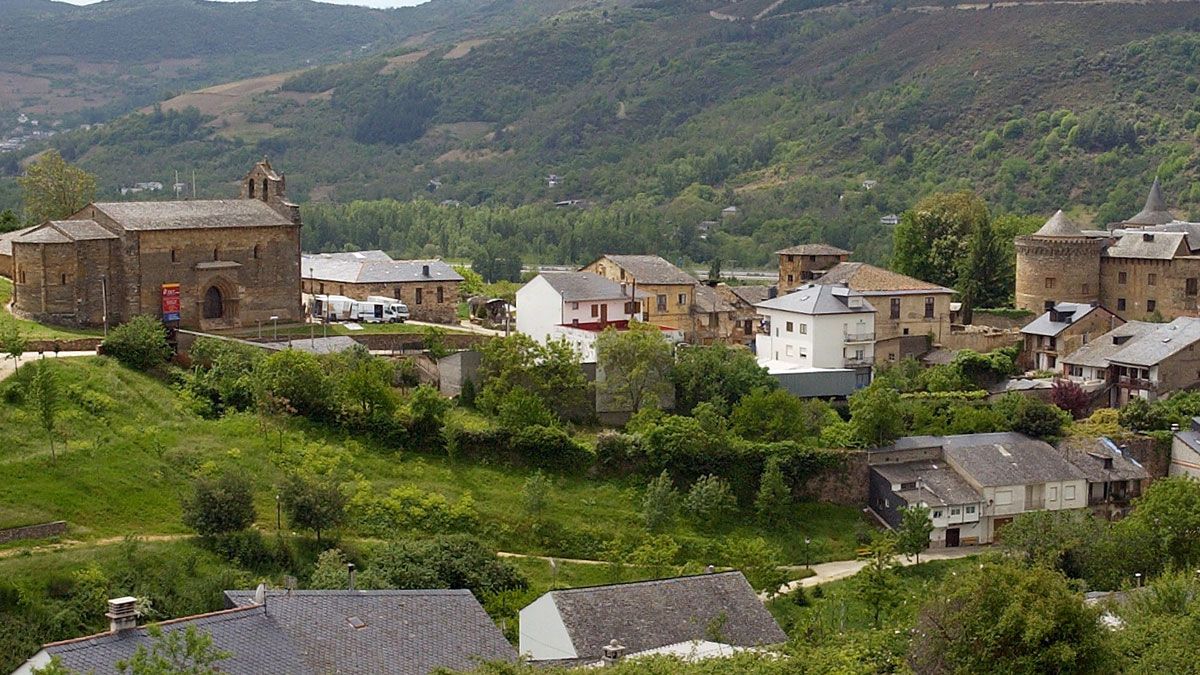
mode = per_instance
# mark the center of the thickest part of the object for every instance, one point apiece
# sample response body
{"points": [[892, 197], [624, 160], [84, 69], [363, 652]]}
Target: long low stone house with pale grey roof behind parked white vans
{"points": [[431, 289]]}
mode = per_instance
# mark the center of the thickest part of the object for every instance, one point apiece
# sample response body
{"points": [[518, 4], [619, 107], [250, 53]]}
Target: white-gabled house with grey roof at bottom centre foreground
{"points": [[578, 626]]}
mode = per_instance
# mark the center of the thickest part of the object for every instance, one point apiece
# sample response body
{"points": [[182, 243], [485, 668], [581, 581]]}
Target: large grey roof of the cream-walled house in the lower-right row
{"points": [[1007, 459]]}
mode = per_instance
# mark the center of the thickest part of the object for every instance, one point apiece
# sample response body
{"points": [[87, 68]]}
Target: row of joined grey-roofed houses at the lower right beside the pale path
{"points": [[976, 485]]}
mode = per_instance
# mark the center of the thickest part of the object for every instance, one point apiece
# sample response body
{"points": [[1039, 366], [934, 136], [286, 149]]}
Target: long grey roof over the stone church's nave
{"points": [[193, 216]]}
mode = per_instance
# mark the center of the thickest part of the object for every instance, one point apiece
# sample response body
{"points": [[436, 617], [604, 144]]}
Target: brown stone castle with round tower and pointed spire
{"points": [[1147, 267]]}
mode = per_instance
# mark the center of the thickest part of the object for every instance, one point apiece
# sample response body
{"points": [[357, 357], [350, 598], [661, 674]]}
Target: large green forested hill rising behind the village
{"points": [[815, 121]]}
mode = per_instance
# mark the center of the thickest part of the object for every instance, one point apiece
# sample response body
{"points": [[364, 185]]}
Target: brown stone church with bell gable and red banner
{"points": [[200, 265]]}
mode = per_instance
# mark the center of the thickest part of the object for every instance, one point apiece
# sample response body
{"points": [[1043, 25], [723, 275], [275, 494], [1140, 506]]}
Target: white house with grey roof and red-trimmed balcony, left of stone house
{"points": [[578, 307]]}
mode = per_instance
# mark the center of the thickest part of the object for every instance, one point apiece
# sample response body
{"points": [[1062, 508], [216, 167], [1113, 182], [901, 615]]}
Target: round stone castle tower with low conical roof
{"points": [[1058, 264]]}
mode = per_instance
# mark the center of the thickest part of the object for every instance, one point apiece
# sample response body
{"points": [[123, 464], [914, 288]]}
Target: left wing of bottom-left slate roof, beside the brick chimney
{"points": [[250, 635]]}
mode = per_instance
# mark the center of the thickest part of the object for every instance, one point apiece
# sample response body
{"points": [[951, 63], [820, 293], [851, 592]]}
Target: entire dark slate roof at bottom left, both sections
{"points": [[311, 632]]}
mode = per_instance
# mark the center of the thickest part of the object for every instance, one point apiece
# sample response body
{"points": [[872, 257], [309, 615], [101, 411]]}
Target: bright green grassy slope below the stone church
{"points": [[123, 468]]}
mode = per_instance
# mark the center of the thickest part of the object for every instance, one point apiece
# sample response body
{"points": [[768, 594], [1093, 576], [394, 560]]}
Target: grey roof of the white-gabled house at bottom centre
{"points": [[652, 614]]}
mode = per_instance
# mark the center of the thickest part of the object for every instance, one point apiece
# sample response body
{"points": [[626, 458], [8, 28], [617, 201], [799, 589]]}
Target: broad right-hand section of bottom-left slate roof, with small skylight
{"points": [[405, 632]]}
